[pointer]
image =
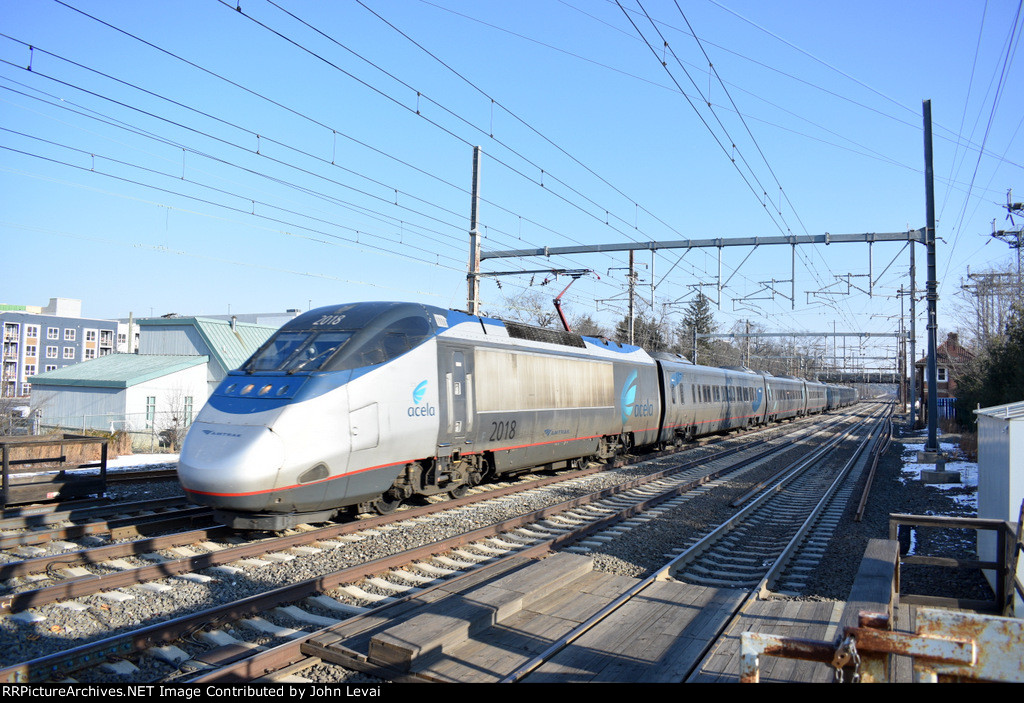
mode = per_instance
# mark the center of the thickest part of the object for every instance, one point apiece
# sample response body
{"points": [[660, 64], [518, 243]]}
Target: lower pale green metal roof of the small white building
{"points": [[117, 371]]}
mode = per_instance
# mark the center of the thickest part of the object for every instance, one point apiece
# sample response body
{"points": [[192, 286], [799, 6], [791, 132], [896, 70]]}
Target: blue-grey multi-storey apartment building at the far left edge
{"points": [[37, 340]]}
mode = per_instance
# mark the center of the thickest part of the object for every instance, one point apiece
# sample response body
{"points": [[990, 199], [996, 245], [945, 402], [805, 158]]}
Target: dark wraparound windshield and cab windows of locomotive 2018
{"points": [[344, 339]]}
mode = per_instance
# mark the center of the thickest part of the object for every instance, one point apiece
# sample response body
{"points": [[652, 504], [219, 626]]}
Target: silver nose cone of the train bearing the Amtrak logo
{"points": [[226, 460]]}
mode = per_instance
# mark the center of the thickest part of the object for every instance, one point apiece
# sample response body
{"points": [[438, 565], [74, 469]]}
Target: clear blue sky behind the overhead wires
{"points": [[194, 159]]}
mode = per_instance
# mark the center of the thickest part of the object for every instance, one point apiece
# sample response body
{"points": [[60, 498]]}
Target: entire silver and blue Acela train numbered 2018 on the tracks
{"points": [[369, 405]]}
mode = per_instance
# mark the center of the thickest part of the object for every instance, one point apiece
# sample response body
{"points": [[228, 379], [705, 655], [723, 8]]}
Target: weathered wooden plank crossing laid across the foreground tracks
{"points": [[485, 628]]}
